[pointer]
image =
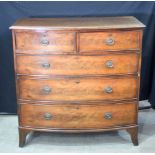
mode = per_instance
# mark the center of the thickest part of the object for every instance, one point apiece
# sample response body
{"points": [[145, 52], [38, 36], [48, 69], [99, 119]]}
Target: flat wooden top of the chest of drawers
{"points": [[78, 23]]}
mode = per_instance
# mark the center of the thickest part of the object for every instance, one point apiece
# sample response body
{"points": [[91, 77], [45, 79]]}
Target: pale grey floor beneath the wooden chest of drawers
{"points": [[80, 143]]}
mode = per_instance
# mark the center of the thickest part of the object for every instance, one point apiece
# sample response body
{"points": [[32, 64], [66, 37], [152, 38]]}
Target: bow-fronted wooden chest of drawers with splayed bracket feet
{"points": [[77, 74]]}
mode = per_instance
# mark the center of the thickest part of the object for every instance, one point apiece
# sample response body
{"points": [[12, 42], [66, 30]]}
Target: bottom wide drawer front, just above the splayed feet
{"points": [[78, 116]]}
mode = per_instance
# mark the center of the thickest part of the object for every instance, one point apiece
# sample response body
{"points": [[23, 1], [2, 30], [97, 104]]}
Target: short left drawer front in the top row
{"points": [[52, 42]]}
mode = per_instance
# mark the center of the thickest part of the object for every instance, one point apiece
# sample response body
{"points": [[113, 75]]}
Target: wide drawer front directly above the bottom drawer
{"points": [[71, 89]]}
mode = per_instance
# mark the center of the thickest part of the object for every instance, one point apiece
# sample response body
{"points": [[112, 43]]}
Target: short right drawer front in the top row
{"points": [[100, 41]]}
